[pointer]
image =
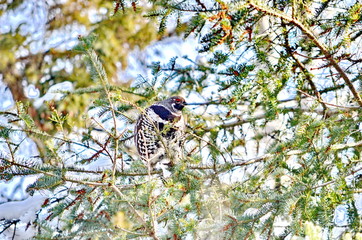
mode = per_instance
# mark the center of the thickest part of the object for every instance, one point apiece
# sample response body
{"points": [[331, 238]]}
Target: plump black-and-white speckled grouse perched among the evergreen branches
{"points": [[159, 134]]}
